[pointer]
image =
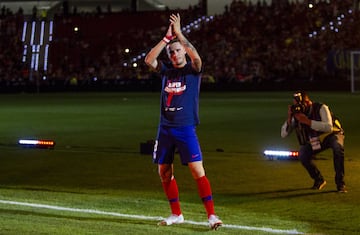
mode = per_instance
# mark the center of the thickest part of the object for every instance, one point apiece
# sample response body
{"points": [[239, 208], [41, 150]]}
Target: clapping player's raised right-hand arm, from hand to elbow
{"points": [[189, 48]]}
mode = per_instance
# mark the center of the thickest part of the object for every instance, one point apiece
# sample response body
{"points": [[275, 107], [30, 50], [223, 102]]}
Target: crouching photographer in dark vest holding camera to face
{"points": [[317, 129]]}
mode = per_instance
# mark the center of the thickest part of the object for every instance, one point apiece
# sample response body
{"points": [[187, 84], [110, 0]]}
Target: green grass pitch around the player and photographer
{"points": [[96, 164]]}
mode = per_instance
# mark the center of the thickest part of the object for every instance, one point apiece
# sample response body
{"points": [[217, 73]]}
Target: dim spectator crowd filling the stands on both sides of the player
{"points": [[248, 43]]}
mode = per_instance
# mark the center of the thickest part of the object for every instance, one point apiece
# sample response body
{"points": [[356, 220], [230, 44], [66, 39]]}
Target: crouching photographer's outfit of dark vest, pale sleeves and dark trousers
{"points": [[324, 133]]}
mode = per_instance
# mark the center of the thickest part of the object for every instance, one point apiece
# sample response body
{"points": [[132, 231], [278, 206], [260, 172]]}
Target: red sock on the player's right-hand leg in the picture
{"points": [[206, 194]]}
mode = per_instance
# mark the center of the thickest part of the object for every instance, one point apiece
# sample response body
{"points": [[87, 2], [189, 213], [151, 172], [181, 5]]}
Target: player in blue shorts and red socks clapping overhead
{"points": [[178, 119]]}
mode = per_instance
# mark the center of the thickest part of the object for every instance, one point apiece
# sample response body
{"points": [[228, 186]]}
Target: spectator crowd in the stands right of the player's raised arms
{"points": [[271, 42]]}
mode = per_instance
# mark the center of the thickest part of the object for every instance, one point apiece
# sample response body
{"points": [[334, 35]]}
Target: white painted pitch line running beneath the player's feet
{"points": [[143, 217]]}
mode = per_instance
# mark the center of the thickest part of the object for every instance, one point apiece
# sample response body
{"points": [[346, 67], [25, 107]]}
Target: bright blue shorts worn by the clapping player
{"points": [[177, 139]]}
